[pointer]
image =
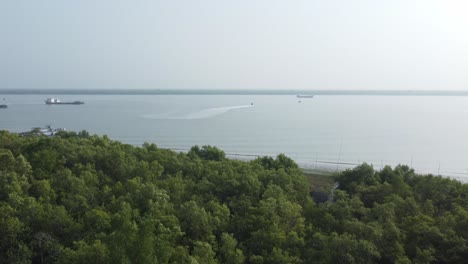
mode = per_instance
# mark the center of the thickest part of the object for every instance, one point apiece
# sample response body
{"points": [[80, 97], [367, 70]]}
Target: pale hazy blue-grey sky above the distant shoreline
{"points": [[245, 44]]}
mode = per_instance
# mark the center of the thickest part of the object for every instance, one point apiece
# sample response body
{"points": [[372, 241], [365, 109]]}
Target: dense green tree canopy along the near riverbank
{"points": [[77, 198]]}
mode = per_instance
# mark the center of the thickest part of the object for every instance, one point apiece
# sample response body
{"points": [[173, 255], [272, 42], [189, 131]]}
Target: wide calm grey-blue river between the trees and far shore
{"points": [[429, 133]]}
